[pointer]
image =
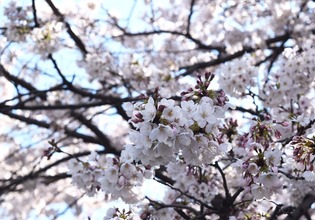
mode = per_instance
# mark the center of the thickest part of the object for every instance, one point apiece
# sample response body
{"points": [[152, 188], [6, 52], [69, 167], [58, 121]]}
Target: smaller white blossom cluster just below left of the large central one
{"points": [[117, 179]]}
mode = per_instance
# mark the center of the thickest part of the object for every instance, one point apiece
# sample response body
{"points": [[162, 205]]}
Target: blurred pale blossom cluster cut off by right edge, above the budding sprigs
{"points": [[293, 80]]}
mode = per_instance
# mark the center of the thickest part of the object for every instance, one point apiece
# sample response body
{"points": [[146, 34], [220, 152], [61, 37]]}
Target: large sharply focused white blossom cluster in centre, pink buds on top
{"points": [[166, 130]]}
